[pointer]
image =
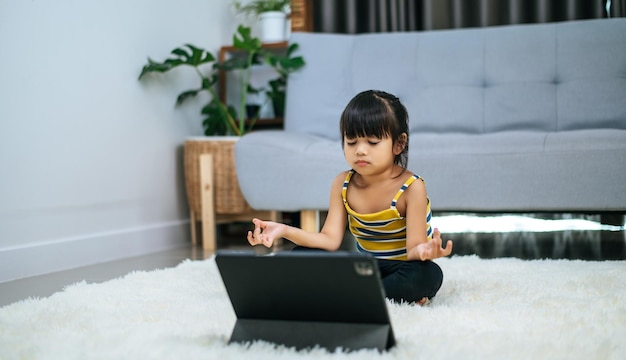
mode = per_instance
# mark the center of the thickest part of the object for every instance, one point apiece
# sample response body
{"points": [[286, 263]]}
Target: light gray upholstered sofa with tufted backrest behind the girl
{"points": [[525, 118]]}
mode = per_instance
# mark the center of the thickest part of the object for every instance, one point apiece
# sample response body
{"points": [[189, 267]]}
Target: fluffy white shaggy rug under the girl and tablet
{"points": [[486, 309]]}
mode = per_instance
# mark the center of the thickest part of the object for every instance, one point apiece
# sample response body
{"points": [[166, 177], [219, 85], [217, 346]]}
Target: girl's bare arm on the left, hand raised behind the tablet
{"points": [[329, 238]]}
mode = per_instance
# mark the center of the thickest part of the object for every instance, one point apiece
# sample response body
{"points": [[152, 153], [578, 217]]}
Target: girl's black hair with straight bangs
{"points": [[378, 114]]}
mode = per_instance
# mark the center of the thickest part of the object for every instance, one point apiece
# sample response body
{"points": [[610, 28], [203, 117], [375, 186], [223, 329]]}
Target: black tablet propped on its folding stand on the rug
{"points": [[307, 299]]}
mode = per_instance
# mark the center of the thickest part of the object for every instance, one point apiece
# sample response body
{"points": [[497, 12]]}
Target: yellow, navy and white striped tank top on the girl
{"points": [[382, 234]]}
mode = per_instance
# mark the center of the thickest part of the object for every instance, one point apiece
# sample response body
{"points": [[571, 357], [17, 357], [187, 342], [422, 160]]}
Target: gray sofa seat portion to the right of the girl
{"points": [[539, 171]]}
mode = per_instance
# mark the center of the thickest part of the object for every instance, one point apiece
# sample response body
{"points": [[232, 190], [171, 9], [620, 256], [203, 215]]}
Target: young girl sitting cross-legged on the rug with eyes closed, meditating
{"points": [[384, 205]]}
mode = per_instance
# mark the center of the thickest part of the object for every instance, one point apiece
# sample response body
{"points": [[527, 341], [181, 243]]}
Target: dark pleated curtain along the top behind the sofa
{"points": [[363, 16]]}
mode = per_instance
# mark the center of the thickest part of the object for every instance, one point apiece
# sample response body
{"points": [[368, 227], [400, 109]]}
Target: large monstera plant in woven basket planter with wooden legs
{"points": [[223, 124]]}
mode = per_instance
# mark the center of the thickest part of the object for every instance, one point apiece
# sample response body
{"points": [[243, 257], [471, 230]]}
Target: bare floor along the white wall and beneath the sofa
{"points": [[587, 237]]}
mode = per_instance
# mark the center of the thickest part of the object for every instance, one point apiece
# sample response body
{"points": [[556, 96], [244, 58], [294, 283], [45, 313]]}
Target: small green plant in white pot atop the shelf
{"points": [[272, 15]]}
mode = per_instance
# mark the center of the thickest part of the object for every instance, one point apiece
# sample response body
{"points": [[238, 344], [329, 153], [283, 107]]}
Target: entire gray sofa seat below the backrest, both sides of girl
{"points": [[524, 168]]}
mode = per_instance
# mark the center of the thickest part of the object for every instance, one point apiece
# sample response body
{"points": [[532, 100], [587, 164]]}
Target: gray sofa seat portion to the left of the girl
{"points": [[287, 171]]}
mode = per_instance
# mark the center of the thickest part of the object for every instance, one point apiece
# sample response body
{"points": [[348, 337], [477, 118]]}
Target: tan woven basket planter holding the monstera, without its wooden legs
{"points": [[228, 196]]}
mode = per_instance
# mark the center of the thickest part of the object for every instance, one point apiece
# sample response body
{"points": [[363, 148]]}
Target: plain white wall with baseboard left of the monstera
{"points": [[91, 158]]}
